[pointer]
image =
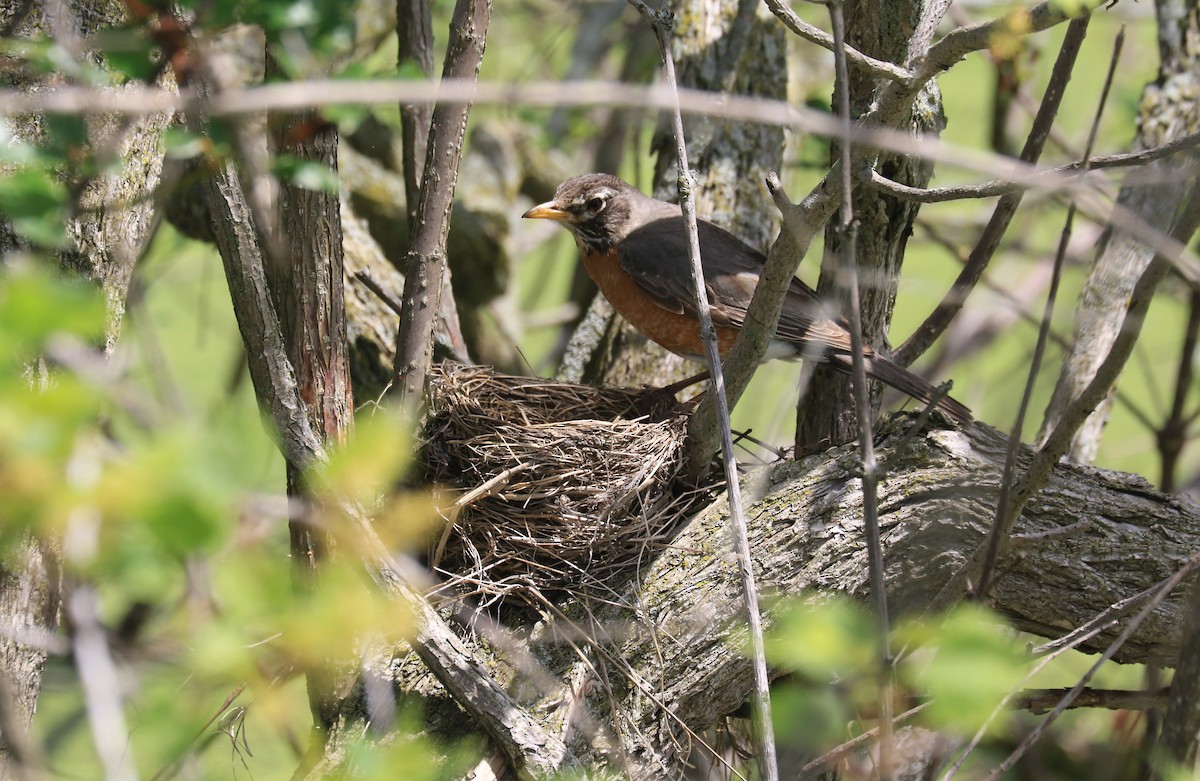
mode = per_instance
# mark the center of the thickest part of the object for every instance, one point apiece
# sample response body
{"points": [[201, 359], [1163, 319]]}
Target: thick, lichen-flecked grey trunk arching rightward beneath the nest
{"points": [[1093, 539]]}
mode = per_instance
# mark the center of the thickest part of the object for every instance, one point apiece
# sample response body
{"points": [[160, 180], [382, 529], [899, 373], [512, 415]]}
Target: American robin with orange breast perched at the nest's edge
{"points": [[637, 250]]}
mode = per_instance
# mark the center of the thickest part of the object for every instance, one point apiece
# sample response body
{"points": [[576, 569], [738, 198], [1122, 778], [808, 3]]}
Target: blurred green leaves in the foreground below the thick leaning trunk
{"points": [[957, 671]]}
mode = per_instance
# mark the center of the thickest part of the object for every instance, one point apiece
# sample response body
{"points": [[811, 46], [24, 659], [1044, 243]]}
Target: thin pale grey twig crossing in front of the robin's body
{"points": [[662, 23]]}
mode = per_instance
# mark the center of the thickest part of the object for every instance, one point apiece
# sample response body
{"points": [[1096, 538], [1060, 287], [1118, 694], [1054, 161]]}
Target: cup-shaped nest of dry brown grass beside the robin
{"points": [[562, 486]]}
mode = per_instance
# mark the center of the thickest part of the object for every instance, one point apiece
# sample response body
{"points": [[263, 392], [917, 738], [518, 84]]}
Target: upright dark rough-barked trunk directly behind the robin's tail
{"points": [[886, 32]]}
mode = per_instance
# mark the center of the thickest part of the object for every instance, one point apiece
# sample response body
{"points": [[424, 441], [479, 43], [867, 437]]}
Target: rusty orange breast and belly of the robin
{"points": [[677, 333]]}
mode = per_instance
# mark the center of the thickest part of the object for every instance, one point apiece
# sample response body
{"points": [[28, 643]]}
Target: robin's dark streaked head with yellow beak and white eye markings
{"points": [[596, 208]]}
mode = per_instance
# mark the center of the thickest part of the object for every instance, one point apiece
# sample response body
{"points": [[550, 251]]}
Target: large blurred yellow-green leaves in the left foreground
{"points": [[164, 521]]}
